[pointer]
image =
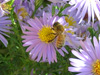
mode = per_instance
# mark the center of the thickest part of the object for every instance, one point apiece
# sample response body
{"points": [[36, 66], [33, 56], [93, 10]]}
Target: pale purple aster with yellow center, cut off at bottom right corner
{"points": [[88, 58]]}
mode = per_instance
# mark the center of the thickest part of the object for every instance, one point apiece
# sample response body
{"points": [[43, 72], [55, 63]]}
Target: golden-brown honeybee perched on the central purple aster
{"points": [[59, 32]]}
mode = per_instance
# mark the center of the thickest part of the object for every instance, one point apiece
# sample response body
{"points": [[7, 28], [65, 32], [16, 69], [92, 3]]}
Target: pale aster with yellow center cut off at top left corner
{"points": [[4, 7]]}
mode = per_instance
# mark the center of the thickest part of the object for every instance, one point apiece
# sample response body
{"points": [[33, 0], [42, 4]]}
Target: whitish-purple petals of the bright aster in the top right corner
{"points": [[90, 8]]}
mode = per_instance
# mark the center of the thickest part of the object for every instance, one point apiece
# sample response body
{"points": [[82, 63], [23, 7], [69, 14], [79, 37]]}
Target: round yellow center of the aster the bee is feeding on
{"points": [[46, 34]]}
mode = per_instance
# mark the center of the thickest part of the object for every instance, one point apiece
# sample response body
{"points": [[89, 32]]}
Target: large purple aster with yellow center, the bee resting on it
{"points": [[38, 36]]}
